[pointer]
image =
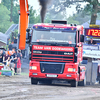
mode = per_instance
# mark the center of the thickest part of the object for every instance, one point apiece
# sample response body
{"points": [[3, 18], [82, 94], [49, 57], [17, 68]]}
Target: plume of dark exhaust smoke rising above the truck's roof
{"points": [[43, 4]]}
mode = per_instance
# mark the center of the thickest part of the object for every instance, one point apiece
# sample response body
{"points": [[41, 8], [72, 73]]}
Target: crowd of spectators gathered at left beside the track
{"points": [[11, 60]]}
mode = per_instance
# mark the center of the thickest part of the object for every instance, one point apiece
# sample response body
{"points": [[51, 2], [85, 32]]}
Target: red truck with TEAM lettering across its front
{"points": [[56, 53]]}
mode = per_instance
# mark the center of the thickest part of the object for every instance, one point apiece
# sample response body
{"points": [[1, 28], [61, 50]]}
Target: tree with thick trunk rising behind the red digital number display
{"points": [[92, 5]]}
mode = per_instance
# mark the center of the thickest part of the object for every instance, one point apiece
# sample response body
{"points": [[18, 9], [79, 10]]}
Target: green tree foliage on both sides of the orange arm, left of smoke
{"points": [[10, 16]]}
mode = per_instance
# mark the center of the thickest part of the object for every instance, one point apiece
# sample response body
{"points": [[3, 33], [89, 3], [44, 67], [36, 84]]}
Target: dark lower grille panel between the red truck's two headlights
{"points": [[51, 67]]}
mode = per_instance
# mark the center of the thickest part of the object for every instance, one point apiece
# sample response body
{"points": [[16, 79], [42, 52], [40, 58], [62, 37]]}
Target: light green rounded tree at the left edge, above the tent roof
{"points": [[4, 18]]}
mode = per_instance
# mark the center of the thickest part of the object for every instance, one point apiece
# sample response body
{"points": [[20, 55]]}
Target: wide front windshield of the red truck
{"points": [[54, 36]]}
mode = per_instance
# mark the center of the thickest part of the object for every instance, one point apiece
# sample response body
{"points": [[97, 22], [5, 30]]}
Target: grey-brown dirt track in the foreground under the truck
{"points": [[19, 88]]}
